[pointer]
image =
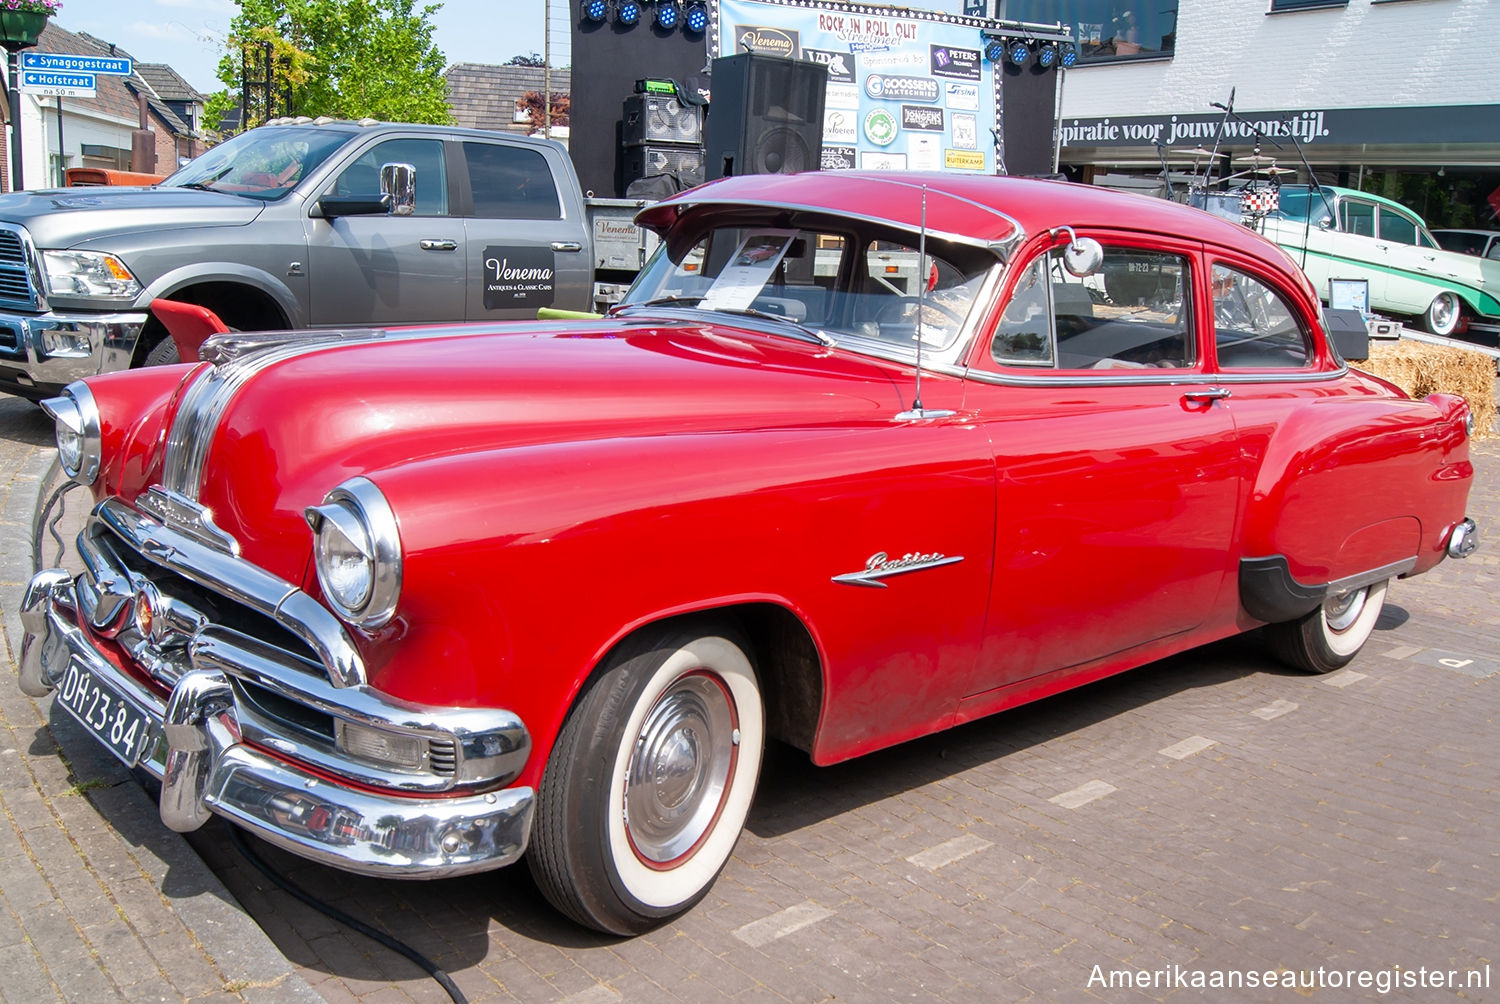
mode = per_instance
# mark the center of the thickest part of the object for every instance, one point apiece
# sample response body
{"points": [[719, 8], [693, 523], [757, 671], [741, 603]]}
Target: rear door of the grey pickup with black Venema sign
{"points": [[526, 250]]}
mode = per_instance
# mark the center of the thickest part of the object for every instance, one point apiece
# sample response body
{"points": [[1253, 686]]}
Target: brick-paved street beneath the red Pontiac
{"points": [[1213, 811]]}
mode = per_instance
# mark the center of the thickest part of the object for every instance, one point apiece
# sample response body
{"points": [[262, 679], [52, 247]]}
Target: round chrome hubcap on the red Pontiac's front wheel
{"points": [[680, 769]]}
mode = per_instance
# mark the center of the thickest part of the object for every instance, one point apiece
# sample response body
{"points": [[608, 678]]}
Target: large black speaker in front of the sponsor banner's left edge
{"points": [[767, 116]]}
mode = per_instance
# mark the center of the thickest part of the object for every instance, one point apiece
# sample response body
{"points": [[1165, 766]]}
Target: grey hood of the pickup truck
{"points": [[77, 217]]}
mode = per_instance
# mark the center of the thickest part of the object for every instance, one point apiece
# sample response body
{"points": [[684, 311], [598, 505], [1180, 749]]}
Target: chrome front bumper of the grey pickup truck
{"points": [[41, 353]]}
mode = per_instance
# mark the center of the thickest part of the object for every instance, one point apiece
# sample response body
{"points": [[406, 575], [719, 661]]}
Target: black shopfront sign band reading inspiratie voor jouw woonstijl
{"points": [[1330, 127]]}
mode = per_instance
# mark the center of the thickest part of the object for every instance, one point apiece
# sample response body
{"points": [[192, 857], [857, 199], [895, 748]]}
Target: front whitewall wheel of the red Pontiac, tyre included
{"points": [[650, 783]]}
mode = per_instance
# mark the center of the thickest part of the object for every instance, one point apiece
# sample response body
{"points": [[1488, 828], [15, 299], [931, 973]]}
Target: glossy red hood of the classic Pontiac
{"points": [[298, 427]]}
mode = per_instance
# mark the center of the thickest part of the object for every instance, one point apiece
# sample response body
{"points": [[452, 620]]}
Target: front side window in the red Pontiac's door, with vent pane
{"points": [[1132, 314]]}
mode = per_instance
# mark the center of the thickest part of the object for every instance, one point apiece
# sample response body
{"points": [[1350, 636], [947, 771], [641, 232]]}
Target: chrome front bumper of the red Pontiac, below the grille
{"points": [[196, 750]]}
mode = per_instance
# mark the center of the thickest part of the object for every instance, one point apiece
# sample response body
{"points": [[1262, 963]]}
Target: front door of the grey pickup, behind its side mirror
{"points": [[389, 269]]}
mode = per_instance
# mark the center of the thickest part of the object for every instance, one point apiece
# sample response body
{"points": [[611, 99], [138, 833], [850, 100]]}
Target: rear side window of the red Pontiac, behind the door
{"points": [[1255, 328]]}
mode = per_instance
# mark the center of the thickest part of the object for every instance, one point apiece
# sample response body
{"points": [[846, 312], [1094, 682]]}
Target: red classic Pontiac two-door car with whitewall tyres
{"points": [[862, 457]]}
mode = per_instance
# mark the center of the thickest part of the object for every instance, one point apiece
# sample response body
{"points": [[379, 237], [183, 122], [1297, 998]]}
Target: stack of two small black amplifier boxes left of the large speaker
{"points": [[664, 139]]}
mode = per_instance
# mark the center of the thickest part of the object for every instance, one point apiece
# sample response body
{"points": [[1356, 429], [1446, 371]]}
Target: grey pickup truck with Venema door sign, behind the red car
{"points": [[290, 226]]}
